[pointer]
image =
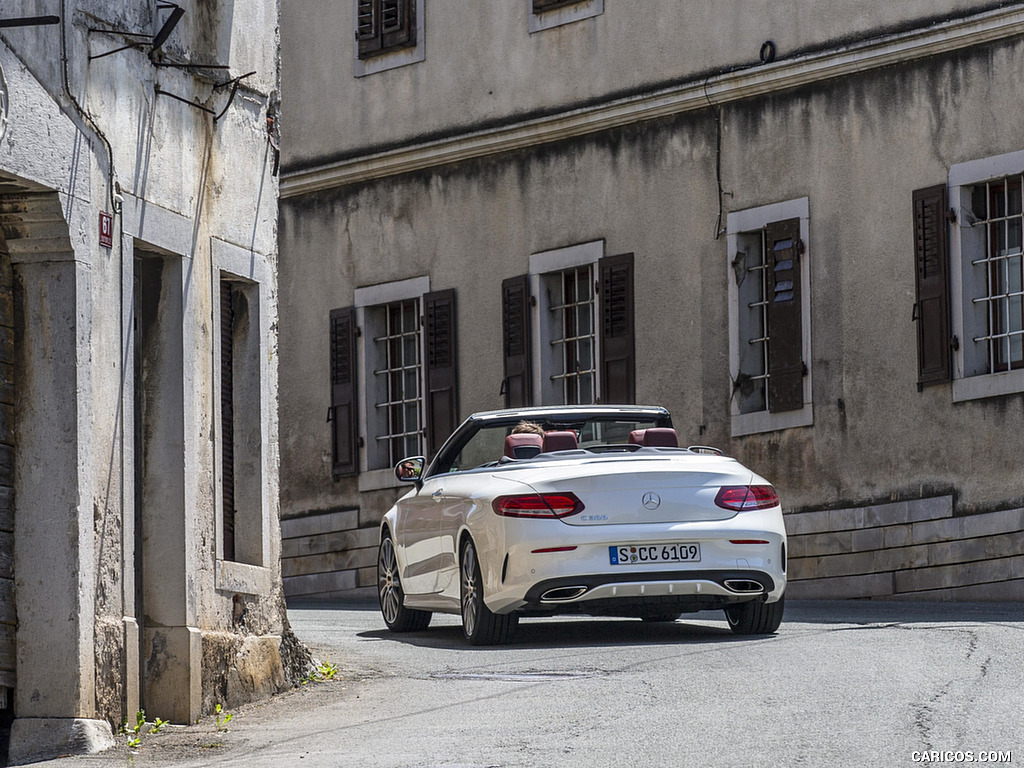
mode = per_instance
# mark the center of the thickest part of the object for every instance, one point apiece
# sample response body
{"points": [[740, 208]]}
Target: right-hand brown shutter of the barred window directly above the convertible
{"points": [[618, 334]]}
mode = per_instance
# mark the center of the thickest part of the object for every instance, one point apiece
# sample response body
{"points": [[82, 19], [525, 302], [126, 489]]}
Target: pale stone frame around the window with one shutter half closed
{"points": [[746, 224]]}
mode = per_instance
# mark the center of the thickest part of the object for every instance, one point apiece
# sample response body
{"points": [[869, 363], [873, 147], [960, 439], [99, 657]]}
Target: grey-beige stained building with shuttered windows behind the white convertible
{"points": [[797, 226]]}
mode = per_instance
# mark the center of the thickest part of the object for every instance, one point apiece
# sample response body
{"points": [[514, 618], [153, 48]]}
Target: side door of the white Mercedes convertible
{"points": [[418, 524]]}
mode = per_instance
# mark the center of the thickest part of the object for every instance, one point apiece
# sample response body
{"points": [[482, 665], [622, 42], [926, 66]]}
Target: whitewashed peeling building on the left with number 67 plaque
{"points": [[139, 471]]}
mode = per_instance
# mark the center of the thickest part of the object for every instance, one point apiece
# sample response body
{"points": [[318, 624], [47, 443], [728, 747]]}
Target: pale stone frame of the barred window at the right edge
{"points": [[970, 387]]}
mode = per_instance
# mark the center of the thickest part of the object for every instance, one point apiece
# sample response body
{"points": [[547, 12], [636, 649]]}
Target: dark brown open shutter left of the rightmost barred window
{"points": [[931, 249]]}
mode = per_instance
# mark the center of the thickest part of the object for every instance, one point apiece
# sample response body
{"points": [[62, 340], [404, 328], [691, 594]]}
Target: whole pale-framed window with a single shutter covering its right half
{"points": [[770, 318]]}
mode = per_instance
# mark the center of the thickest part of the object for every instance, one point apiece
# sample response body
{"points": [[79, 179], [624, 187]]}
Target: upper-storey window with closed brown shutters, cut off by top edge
{"points": [[389, 34]]}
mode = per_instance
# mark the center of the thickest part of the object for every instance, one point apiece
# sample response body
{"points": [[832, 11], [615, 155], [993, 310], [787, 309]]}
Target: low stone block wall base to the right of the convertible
{"points": [[912, 550]]}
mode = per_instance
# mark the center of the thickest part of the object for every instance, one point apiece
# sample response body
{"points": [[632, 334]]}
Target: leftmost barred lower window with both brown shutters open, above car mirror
{"points": [[397, 350]]}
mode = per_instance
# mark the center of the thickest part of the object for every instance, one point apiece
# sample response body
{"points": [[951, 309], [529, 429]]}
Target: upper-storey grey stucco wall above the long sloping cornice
{"points": [[486, 67]]}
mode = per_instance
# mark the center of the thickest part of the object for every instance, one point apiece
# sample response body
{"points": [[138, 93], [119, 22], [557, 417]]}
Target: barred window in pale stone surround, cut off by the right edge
{"points": [[987, 276]]}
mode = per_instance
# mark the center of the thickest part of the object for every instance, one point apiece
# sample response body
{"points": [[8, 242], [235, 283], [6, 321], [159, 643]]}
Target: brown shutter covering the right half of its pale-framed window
{"points": [[786, 329]]}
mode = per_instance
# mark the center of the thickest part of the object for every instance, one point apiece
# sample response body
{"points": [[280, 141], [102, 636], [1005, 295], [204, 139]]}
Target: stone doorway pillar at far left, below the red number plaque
{"points": [[55, 559]]}
